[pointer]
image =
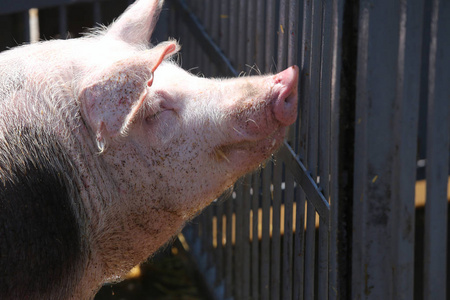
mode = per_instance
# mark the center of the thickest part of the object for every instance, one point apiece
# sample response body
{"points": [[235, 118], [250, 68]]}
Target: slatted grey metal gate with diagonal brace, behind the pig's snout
{"points": [[275, 236]]}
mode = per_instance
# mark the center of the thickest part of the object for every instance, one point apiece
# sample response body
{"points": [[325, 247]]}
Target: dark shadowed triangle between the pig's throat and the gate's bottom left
{"points": [[169, 275]]}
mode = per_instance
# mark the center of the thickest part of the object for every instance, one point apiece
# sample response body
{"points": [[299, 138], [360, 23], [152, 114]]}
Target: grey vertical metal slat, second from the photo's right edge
{"points": [[405, 135]]}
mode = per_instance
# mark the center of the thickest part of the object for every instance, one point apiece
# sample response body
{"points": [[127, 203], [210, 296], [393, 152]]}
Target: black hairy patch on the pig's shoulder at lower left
{"points": [[41, 245]]}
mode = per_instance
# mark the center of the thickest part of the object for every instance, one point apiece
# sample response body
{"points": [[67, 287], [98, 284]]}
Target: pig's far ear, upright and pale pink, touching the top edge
{"points": [[136, 24]]}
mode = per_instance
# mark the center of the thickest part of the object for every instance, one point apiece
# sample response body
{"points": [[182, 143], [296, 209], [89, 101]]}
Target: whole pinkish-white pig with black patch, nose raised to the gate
{"points": [[108, 148]]}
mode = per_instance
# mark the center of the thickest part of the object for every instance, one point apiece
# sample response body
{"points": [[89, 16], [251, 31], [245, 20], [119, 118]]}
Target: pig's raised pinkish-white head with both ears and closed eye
{"points": [[172, 142]]}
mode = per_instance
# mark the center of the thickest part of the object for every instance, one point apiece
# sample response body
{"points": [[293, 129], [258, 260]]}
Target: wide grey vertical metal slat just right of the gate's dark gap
{"points": [[372, 274]]}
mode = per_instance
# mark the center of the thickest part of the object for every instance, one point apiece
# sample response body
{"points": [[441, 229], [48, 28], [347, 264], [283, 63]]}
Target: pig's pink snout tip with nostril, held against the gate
{"points": [[285, 105]]}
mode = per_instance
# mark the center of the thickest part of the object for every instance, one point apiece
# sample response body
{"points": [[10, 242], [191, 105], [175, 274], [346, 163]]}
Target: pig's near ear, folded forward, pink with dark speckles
{"points": [[111, 98]]}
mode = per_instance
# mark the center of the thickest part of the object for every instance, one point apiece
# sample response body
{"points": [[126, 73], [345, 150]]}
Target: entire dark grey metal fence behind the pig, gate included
{"points": [[341, 211]]}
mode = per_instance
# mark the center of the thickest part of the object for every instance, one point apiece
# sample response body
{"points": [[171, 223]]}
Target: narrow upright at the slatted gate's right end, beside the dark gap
{"points": [[336, 27]]}
